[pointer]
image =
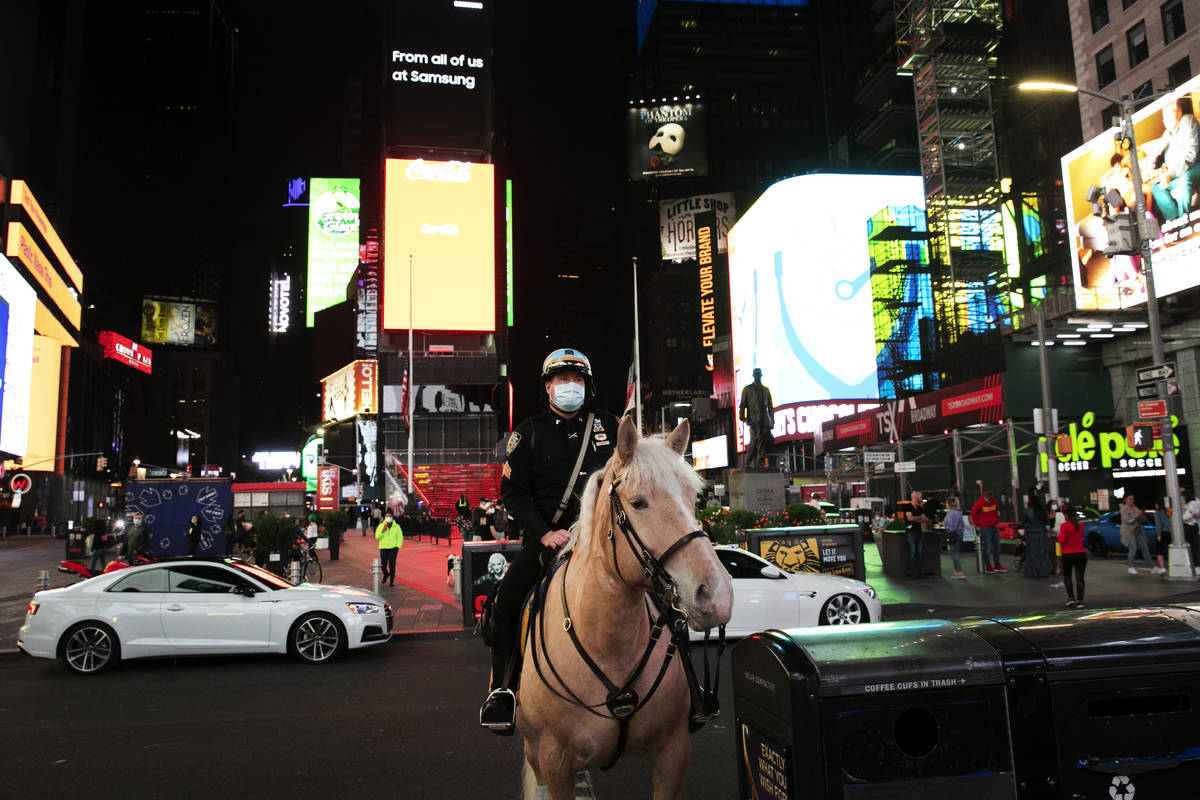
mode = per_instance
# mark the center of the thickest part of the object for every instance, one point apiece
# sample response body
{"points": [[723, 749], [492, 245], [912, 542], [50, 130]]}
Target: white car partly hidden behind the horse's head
{"points": [[765, 597]]}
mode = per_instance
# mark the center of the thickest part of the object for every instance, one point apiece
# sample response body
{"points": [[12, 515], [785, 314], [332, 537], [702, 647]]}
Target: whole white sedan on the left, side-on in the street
{"points": [[199, 607]]}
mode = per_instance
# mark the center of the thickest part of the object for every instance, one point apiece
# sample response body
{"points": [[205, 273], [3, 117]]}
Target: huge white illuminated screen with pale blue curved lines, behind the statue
{"points": [[801, 286]]}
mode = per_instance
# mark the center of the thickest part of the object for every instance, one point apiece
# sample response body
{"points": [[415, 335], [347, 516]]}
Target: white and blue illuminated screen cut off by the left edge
{"points": [[19, 359]]}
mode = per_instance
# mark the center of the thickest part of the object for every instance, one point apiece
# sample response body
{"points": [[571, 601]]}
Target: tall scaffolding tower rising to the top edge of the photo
{"points": [[950, 50]]}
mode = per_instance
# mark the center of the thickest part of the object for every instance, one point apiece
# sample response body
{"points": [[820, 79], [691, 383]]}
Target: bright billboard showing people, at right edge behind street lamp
{"points": [[1118, 282]]}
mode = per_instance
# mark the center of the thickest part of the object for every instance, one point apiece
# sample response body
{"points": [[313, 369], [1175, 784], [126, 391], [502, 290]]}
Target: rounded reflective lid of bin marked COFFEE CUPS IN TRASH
{"points": [[902, 657]]}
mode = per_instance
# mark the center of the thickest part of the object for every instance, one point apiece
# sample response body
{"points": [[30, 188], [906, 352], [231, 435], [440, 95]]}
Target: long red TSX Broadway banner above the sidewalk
{"points": [[973, 402]]}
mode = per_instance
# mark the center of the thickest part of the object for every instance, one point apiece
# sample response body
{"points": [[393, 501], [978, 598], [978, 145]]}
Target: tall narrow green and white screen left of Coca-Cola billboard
{"points": [[333, 242]]}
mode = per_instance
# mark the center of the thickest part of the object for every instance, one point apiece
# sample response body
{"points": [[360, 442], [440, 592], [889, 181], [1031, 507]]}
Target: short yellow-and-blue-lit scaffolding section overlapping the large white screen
{"points": [[898, 243]]}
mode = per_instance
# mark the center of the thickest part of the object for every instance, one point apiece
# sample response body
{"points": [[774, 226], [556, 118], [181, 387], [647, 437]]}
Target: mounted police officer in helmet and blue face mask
{"points": [[550, 458]]}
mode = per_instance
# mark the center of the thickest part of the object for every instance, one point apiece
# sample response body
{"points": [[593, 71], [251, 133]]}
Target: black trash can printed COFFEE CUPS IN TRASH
{"points": [[890, 711]]}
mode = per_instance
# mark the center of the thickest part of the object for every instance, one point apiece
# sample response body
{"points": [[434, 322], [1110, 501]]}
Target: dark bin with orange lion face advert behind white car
{"points": [[830, 550]]}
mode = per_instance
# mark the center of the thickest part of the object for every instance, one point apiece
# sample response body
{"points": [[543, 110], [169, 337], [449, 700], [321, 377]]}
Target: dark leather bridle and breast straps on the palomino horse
{"points": [[622, 701]]}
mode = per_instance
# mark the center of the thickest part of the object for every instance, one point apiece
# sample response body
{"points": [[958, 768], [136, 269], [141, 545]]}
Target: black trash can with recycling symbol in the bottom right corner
{"points": [[1103, 703]]}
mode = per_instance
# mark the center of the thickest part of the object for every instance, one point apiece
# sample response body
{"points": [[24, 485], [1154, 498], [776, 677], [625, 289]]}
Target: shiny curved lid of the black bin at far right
{"points": [[1113, 639]]}
